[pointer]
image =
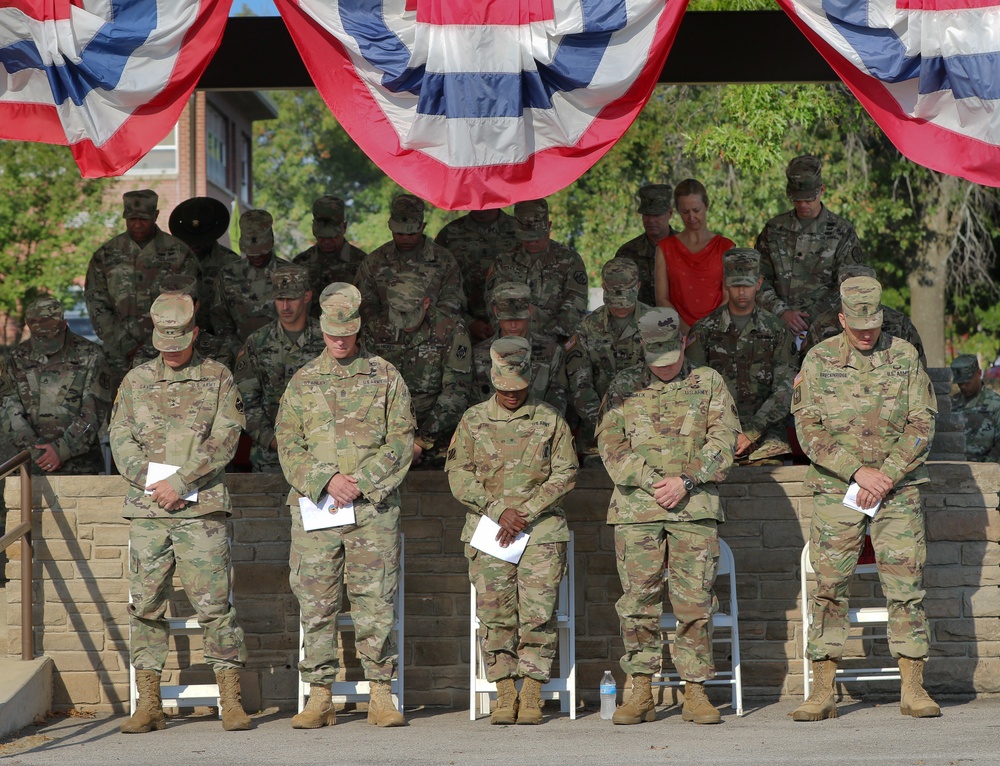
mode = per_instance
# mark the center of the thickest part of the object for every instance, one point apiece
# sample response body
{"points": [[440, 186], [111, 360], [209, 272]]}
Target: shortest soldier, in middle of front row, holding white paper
{"points": [[515, 602]]}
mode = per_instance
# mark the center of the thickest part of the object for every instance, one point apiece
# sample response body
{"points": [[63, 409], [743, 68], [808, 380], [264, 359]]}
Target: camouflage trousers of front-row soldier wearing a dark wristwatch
{"points": [[688, 551]]}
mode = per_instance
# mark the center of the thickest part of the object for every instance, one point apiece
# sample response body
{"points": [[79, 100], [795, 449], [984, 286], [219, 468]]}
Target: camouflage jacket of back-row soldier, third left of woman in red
{"points": [[436, 267]]}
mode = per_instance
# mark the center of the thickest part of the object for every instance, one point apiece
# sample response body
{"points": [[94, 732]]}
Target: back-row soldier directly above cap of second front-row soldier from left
{"points": [[332, 258]]}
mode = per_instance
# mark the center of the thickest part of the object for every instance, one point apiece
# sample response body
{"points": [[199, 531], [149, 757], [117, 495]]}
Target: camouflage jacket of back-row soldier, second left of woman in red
{"points": [[558, 282]]}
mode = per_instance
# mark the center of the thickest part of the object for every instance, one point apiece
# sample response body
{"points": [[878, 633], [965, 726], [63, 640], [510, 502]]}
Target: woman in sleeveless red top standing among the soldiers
{"points": [[689, 263]]}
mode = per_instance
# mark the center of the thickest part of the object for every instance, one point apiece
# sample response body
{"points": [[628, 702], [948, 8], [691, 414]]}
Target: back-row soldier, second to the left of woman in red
{"points": [[554, 273]]}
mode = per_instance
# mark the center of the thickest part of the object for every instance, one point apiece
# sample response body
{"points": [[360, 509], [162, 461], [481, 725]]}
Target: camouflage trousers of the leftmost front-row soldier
{"points": [[198, 550]]}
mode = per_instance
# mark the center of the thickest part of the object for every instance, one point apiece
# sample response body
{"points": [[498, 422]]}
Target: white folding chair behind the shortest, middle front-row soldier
{"points": [[561, 687]]}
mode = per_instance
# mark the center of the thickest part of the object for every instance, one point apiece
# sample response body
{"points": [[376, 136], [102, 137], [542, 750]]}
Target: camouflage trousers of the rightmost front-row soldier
{"points": [[835, 542]]}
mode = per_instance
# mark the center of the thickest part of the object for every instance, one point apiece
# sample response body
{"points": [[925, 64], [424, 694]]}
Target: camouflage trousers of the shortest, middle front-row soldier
{"points": [[516, 606]]}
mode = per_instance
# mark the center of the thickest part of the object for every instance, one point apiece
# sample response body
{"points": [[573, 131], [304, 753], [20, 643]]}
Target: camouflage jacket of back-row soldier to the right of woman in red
{"points": [[800, 260]]}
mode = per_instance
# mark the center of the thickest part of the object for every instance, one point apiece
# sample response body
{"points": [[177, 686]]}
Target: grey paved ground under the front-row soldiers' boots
{"points": [[968, 733]]}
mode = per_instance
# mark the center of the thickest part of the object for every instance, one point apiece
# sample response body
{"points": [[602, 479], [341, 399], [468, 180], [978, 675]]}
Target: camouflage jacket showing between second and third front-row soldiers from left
{"points": [[436, 363]]}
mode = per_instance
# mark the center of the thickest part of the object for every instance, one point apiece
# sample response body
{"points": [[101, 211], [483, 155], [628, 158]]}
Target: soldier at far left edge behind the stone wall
{"points": [[55, 395]]}
